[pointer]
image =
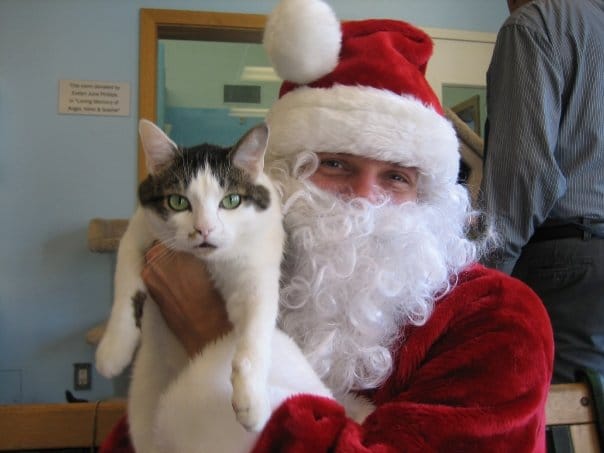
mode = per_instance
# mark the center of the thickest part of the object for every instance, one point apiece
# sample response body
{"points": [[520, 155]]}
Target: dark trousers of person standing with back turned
{"points": [[568, 275]]}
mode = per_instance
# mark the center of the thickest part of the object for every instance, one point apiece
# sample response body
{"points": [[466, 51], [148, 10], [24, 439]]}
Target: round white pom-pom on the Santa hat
{"points": [[302, 39]]}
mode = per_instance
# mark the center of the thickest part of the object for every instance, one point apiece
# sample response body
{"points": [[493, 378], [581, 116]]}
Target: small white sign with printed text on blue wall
{"points": [[90, 97]]}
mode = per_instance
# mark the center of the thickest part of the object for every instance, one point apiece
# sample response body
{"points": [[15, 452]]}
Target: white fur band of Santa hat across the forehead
{"points": [[364, 121]]}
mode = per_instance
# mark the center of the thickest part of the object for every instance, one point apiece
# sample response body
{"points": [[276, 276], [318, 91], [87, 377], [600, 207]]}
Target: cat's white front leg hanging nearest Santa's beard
{"points": [[254, 314]]}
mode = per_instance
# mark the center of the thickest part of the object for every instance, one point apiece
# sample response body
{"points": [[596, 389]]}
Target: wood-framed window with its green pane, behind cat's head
{"points": [[240, 91]]}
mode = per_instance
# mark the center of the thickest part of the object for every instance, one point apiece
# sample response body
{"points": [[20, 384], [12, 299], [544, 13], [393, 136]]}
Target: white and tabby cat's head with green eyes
{"points": [[201, 196]]}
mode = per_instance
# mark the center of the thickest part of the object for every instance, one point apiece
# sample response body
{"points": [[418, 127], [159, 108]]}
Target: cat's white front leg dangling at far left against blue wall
{"points": [[121, 336]]}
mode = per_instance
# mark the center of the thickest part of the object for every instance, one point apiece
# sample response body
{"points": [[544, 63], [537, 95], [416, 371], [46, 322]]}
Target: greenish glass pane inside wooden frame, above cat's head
{"points": [[212, 91]]}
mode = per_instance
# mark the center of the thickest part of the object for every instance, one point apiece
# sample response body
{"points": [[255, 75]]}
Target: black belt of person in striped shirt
{"points": [[582, 228]]}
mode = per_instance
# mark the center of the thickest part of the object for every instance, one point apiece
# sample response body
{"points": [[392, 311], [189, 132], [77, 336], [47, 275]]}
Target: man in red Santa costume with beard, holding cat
{"points": [[381, 289]]}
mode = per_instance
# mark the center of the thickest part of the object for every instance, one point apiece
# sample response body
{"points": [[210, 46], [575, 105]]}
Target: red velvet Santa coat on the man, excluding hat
{"points": [[474, 378]]}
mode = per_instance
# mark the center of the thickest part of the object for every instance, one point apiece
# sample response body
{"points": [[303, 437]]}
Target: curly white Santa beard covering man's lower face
{"points": [[355, 274]]}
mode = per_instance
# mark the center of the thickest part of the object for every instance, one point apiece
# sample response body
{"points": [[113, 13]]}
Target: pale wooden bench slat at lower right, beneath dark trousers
{"points": [[569, 404]]}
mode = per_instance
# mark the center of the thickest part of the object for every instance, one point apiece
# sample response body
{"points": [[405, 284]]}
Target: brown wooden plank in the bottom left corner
{"points": [[61, 425]]}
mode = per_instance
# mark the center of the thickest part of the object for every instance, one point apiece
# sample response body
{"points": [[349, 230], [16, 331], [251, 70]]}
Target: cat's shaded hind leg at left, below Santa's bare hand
{"points": [[159, 360]]}
